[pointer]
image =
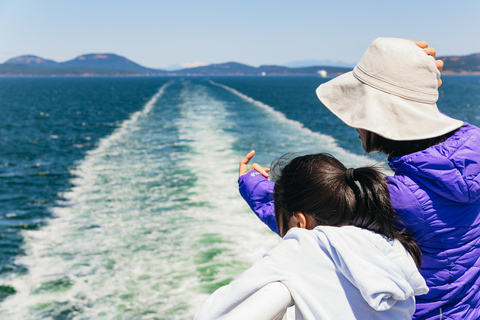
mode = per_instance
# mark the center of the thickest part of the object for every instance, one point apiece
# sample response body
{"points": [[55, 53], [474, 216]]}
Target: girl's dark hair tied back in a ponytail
{"points": [[317, 185]]}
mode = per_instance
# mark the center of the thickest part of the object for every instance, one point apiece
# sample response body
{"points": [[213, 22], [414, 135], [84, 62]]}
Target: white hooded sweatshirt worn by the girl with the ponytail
{"points": [[331, 273]]}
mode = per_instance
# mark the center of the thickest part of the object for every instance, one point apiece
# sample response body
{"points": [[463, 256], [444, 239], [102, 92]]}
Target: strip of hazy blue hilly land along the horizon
{"points": [[107, 64]]}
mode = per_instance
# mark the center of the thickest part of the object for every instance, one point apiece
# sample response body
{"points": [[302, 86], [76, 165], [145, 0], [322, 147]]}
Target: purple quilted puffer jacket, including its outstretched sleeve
{"points": [[436, 193]]}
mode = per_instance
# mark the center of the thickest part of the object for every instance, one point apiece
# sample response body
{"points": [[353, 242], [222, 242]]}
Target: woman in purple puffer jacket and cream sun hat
{"points": [[390, 98]]}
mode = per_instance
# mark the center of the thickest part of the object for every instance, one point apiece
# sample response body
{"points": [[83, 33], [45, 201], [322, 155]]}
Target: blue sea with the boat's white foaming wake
{"points": [[118, 196]]}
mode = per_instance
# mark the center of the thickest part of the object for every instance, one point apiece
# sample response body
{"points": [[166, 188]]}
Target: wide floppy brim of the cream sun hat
{"points": [[361, 106]]}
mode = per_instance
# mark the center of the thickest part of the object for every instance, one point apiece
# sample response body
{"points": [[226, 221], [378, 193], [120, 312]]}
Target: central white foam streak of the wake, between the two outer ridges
{"points": [[215, 164]]}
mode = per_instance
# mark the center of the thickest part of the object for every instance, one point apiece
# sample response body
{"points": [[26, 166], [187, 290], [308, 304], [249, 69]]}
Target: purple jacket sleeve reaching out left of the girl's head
{"points": [[257, 191]]}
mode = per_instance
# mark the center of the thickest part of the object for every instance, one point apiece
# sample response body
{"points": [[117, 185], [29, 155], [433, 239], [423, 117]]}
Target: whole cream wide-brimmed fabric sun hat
{"points": [[392, 92]]}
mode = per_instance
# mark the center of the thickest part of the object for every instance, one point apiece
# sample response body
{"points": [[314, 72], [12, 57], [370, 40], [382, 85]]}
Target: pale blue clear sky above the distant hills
{"points": [[161, 33]]}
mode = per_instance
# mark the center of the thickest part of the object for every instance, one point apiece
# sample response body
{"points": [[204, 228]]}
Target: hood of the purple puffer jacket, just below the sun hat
{"points": [[447, 169]]}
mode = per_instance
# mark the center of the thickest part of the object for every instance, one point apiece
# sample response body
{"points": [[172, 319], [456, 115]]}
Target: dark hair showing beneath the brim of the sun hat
{"points": [[394, 148]]}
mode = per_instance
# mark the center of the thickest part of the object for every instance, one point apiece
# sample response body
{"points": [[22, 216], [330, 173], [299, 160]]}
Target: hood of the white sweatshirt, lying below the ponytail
{"points": [[381, 269]]}
